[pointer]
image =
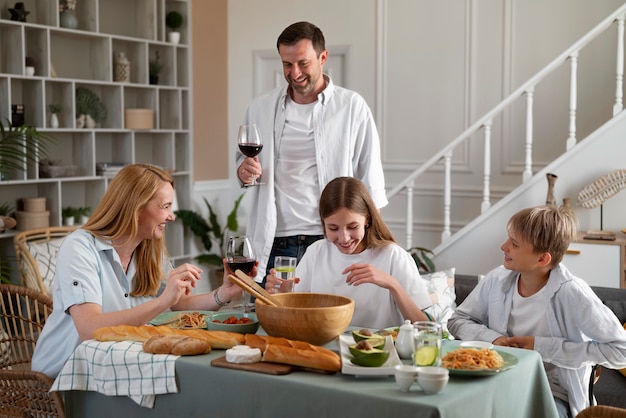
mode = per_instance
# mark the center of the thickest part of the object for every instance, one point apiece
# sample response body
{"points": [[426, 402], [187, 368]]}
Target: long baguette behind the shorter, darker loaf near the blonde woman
{"points": [[216, 339]]}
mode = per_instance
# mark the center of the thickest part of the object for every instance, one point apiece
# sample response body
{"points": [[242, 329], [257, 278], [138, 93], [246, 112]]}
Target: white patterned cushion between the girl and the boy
{"points": [[440, 287]]}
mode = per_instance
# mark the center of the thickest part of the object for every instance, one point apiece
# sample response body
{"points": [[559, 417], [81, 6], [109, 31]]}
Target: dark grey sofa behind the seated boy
{"points": [[611, 387]]}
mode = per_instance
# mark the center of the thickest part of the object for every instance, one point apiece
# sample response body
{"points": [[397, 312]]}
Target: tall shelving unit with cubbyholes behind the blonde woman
{"points": [[66, 59]]}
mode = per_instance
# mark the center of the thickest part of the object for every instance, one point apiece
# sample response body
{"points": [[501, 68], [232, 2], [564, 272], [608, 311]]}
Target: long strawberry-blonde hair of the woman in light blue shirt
{"points": [[117, 216]]}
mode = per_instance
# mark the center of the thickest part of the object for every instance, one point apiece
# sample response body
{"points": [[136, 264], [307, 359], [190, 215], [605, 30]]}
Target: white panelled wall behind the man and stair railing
{"points": [[429, 69]]}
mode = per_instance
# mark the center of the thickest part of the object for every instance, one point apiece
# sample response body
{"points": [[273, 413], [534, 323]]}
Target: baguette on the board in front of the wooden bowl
{"points": [[295, 353]]}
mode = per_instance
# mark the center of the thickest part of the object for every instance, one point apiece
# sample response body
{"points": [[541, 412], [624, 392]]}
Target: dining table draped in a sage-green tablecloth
{"points": [[204, 390]]}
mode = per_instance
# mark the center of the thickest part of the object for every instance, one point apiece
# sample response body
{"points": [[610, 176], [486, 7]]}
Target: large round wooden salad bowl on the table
{"points": [[317, 318]]}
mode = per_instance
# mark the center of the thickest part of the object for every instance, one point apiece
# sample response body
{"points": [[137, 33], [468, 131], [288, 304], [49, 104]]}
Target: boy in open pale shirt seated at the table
{"points": [[532, 301]]}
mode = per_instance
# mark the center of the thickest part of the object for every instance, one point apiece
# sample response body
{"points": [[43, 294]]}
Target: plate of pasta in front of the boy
{"points": [[475, 361]]}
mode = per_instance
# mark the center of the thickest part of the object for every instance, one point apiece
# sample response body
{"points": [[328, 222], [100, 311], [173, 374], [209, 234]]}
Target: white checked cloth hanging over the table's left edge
{"points": [[118, 369]]}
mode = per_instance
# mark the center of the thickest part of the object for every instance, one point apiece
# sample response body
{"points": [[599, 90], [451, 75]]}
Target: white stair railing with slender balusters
{"points": [[484, 124]]}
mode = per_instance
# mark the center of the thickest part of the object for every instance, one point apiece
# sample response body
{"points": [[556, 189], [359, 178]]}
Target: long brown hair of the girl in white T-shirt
{"points": [[350, 193]]}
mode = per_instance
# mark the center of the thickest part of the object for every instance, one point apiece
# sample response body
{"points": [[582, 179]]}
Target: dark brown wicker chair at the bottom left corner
{"points": [[24, 392]]}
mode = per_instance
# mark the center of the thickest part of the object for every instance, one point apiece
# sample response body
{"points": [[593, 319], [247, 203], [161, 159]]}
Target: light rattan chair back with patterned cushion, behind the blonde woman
{"points": [[36, 252]]}
